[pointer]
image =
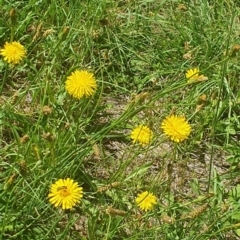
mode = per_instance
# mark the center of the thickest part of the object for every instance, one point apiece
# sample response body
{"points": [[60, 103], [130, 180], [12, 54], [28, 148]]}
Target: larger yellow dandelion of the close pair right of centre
{"points": [[176, 127]]}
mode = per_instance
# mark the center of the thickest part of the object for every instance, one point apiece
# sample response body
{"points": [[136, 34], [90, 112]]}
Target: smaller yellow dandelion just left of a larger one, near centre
{"points": [[141, 134]]}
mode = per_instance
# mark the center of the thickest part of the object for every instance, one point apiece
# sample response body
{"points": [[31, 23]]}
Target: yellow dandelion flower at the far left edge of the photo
{"points": [[13, 52]]}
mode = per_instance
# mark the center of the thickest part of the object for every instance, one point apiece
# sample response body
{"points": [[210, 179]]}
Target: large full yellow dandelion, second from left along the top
{"points": [[80, 84]]}
